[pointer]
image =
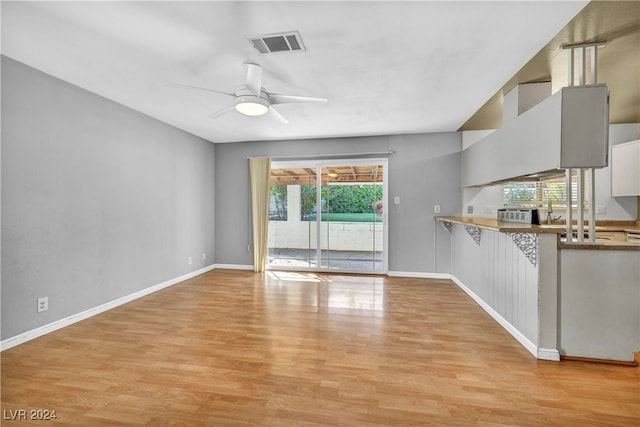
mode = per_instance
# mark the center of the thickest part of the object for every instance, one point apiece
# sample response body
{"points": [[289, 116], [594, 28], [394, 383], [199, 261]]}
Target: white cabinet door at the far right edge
{"points": [[625, 169]]}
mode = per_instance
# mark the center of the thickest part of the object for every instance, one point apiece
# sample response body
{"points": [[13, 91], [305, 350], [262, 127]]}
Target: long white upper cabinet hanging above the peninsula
{"points": [[567, 130]]}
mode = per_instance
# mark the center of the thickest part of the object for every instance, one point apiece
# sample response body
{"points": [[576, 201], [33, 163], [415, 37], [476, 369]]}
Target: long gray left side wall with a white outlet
{"points": [[98, 201]]}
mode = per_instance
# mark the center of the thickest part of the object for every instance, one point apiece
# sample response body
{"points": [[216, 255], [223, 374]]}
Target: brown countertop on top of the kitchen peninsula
{"points": [[511, 227]]}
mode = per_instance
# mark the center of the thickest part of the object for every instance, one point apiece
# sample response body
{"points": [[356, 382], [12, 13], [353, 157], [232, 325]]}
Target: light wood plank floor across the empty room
{"points": [[235, 348]]}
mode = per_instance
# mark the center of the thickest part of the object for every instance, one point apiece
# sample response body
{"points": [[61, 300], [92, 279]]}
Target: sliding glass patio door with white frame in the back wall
{"points": [[328, 216]]}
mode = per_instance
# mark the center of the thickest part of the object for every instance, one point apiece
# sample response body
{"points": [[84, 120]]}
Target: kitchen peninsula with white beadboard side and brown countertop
{"points": [[557, 299]]}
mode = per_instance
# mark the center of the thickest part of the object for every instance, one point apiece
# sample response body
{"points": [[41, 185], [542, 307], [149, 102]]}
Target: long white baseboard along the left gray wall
{"points": [[59, 324]]}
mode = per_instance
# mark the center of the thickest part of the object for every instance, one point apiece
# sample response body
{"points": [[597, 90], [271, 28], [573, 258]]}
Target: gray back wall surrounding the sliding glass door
{"points": [[425, 171]]}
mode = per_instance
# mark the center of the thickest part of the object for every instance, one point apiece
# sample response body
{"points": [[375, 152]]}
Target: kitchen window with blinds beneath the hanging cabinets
{"points": [[542, 194]]}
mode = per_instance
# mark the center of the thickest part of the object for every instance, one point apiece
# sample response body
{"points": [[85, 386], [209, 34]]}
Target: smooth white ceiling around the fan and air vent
{"points": [[386, 67]]}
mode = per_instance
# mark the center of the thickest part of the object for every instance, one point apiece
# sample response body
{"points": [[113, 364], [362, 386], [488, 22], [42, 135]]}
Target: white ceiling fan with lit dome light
{"points": [[252, 99]]}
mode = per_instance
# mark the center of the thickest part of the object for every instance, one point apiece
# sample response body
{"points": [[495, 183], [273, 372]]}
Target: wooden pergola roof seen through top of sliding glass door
{"points": [[332, 174]]}
